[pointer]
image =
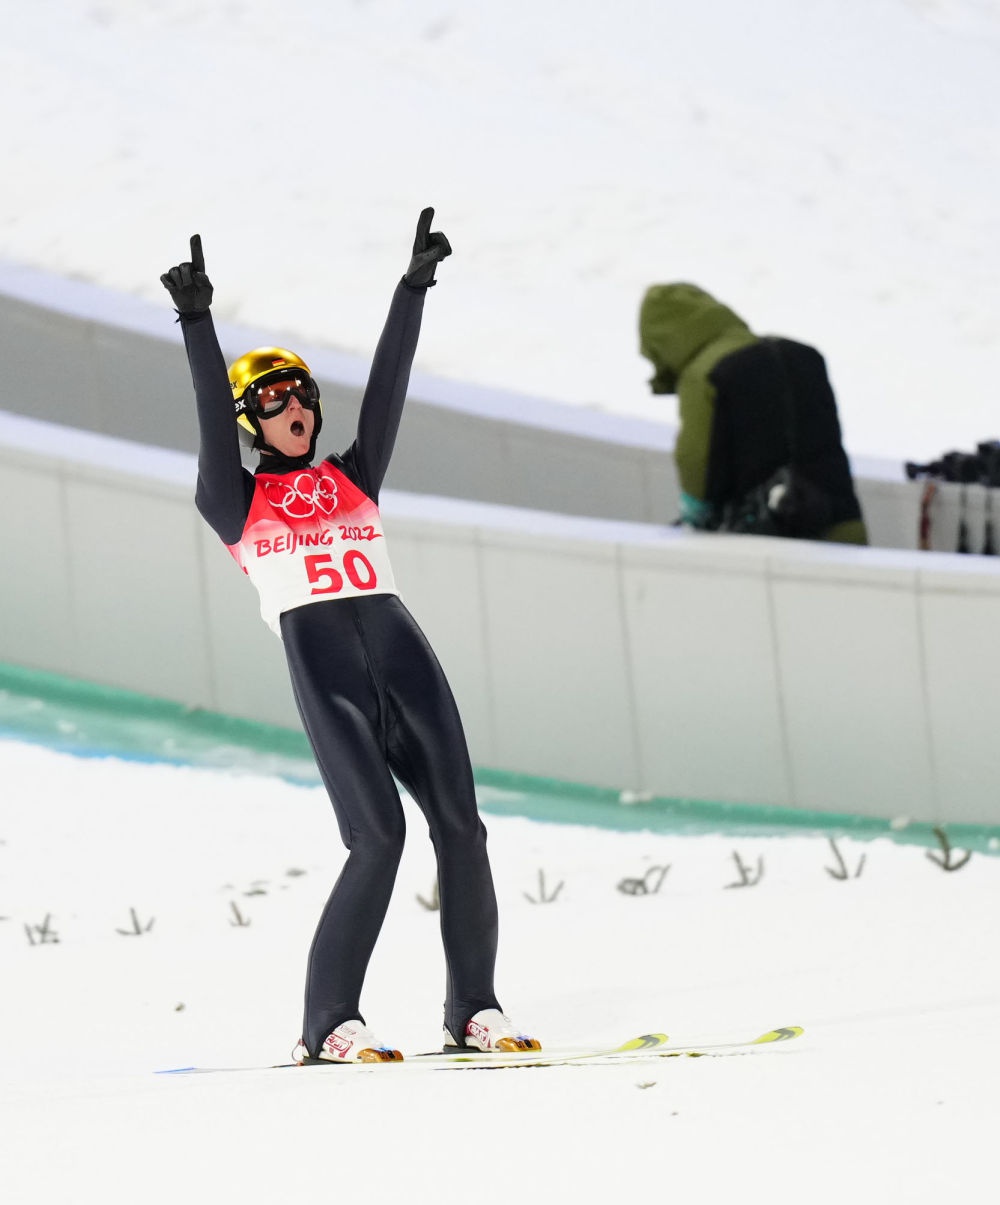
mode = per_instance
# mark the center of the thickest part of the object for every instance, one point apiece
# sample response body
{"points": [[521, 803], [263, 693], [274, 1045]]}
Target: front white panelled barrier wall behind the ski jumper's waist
{"points": [[628, 656]]}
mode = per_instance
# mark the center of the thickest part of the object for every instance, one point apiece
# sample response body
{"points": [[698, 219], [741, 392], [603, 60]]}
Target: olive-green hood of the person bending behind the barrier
{"points": [[677, 322]]}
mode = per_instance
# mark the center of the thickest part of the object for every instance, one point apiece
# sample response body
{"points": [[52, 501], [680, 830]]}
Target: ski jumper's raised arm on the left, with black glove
{"points": [[225, 487]]}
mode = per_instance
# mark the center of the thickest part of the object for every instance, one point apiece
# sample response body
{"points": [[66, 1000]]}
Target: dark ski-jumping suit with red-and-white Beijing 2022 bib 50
{"points": [[373, 698]]}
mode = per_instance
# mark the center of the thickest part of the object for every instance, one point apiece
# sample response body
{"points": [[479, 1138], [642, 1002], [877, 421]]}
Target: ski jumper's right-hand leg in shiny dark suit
{"points": [[430, 756]]}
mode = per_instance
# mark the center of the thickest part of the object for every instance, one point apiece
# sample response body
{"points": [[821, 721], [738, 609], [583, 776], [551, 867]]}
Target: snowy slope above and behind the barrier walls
{"points": [[830, 171]]}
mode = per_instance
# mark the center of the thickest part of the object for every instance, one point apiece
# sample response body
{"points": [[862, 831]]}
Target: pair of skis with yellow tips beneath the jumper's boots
{"points": [[646, 1048]]}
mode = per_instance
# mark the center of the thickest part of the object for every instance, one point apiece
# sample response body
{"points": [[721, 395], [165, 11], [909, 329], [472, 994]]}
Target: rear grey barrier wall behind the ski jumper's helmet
{"points": [[113, 365]]}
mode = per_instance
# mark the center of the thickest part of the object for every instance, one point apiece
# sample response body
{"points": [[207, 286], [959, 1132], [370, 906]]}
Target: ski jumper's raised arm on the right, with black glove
{"points": [[390, 377]]}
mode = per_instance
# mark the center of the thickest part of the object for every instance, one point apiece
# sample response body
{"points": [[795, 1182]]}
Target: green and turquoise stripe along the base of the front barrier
{"points": [[89, 720]]}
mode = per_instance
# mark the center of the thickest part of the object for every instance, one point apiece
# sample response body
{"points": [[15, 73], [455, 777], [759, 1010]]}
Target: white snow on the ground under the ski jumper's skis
{"points": [[889, 1097]]}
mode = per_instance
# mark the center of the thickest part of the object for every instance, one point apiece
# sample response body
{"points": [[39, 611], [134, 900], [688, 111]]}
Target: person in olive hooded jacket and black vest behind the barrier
{"points": [[760, 445]]}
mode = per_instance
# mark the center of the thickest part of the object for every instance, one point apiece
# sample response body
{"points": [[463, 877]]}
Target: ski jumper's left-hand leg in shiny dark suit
{"points": [[342, 714]]}
